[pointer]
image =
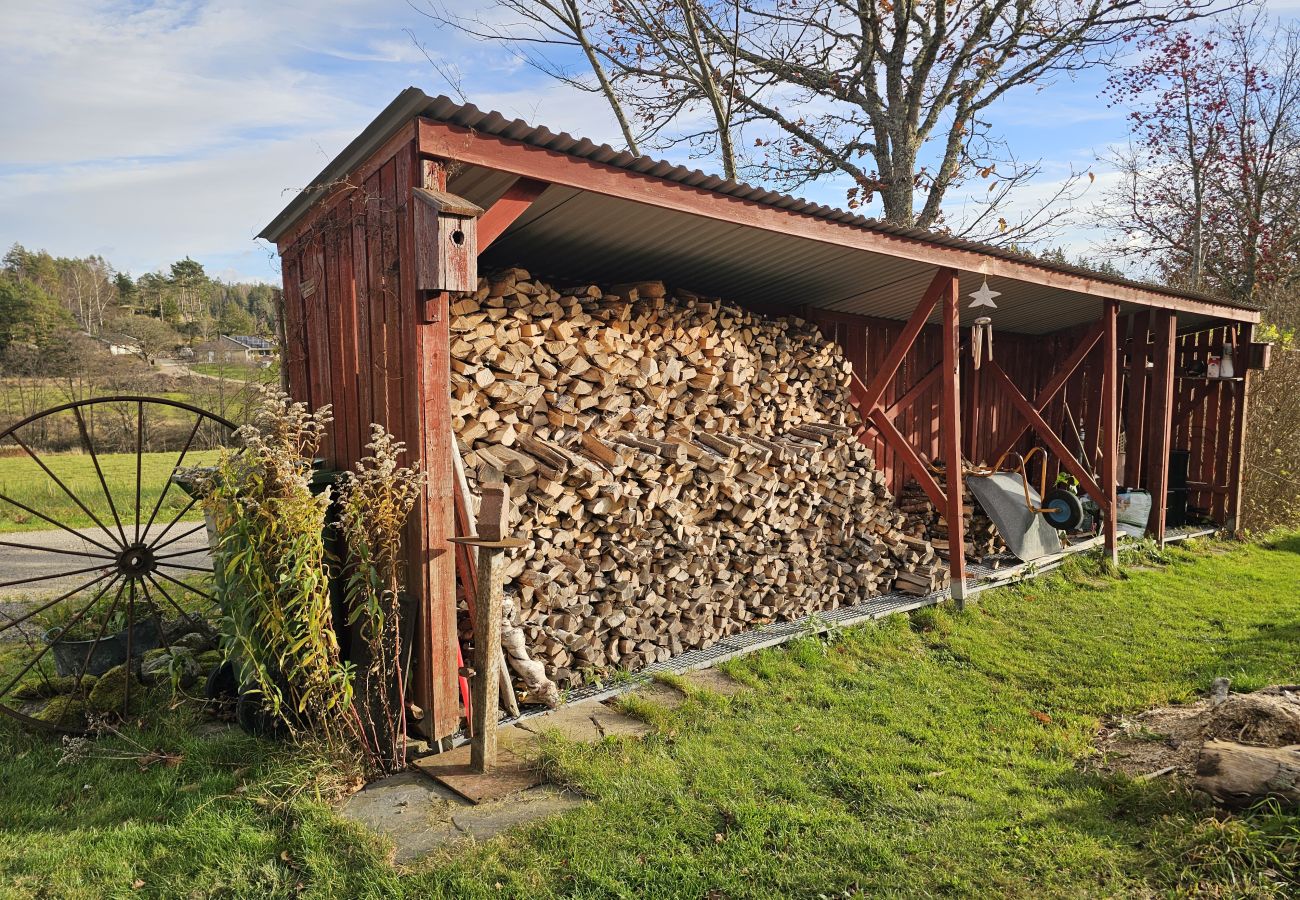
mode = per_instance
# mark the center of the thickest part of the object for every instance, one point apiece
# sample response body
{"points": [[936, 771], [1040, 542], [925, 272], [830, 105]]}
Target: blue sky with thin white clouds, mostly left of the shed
{"points": [[146, 132]]}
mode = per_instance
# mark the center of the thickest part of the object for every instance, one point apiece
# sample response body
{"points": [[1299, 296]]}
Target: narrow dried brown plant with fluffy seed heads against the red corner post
{"points": [[375, 503]]}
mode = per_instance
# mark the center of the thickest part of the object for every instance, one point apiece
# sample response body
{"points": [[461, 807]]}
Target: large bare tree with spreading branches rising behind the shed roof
{"points": [[892, 94]]}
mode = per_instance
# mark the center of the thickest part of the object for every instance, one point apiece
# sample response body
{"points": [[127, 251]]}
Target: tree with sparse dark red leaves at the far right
{"points": [[1211, 181]]}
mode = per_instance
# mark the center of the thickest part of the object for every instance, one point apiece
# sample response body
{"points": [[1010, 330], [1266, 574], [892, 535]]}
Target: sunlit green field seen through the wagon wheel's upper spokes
{"points": [[23, 481]]}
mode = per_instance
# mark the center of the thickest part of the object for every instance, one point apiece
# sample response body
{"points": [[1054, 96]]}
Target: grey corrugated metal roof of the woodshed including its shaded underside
{"points": [[571, 236]]}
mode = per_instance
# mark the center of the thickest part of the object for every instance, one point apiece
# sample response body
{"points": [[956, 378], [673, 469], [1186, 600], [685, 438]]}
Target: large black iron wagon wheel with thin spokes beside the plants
{"points": [[103, 552]]}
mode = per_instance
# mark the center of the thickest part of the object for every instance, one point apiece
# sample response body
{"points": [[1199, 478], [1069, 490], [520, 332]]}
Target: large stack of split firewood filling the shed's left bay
{"points": [[687, 470]]}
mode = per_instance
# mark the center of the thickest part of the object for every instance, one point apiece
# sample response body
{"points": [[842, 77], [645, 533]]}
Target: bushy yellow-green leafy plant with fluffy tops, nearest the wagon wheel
{"points": [[274, 577]]}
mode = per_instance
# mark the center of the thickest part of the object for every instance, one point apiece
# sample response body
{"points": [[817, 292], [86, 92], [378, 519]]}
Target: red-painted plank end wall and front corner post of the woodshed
{"points": [[356, 340]]}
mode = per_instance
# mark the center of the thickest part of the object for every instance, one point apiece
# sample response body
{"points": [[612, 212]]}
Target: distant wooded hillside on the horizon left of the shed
{"points": [[46, 300]]}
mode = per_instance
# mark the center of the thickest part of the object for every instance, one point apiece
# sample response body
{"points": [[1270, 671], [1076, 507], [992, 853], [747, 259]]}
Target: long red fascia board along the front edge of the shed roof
{"points": [[460, 145]]}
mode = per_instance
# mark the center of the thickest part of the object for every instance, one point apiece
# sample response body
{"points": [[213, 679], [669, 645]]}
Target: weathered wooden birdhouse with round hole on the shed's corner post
{"points": [[447, 235]]}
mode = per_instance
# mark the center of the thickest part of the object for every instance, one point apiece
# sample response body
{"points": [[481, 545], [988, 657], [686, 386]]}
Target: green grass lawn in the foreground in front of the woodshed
{"points": [[934, 755]]}
